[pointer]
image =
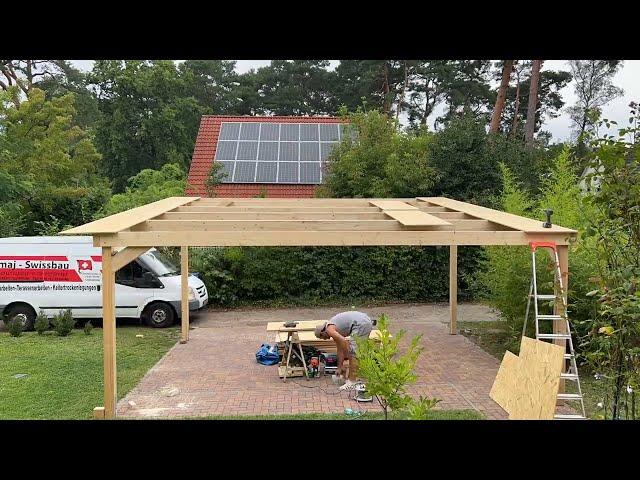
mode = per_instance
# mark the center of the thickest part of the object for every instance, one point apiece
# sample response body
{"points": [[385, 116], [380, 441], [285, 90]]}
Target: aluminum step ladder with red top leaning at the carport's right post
{"points": [[571, 374]]}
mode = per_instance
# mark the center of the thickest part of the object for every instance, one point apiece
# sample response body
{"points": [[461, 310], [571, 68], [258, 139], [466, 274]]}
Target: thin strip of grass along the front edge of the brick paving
{"points": [[434, 415]]}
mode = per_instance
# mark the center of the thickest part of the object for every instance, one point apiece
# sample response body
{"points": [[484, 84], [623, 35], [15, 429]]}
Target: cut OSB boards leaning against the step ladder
{"points": [[526, 386]]}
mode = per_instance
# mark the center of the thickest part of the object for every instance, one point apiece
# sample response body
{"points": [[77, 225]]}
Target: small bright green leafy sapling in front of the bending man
{"points": [[387, 373]]}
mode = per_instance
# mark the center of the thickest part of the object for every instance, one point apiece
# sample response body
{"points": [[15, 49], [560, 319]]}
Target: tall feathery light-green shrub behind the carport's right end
{"points": [[506, 274]]}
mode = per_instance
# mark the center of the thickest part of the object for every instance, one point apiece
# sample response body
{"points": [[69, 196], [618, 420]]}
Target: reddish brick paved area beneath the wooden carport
{"points": [[216, 372]]}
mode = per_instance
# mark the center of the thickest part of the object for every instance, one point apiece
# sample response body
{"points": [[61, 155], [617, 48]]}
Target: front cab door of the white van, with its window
{"points": [[135, 287]]}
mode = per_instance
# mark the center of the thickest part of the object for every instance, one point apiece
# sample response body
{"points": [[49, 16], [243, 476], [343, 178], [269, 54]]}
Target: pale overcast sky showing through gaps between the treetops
{"points": [[628, 78]]}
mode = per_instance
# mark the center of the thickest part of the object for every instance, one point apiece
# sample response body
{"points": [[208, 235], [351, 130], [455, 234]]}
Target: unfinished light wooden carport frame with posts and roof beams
{"points": [[219, 222]]}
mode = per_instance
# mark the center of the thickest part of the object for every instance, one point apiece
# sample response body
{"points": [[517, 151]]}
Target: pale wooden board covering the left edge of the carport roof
{"points": [[127, 219]]}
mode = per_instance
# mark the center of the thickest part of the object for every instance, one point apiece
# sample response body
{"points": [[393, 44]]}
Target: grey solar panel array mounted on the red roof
{"points": [[256, 152]]}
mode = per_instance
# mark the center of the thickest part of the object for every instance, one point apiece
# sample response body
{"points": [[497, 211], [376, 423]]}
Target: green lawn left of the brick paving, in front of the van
{"points": [[64, 374]]}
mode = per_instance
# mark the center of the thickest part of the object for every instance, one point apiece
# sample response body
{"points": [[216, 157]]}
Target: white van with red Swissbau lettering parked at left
{"points": [[51, 274]]}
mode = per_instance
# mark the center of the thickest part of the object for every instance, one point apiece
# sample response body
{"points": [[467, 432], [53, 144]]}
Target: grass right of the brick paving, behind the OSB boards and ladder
{"points": [[493, 336]]}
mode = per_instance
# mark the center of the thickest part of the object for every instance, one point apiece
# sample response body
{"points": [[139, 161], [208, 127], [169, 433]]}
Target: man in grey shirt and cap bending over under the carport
{"points": [[346, 324]]}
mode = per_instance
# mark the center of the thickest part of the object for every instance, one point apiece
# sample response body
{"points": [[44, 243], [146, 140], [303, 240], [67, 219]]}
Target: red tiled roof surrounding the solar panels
{"points": [[205, 150]]}
